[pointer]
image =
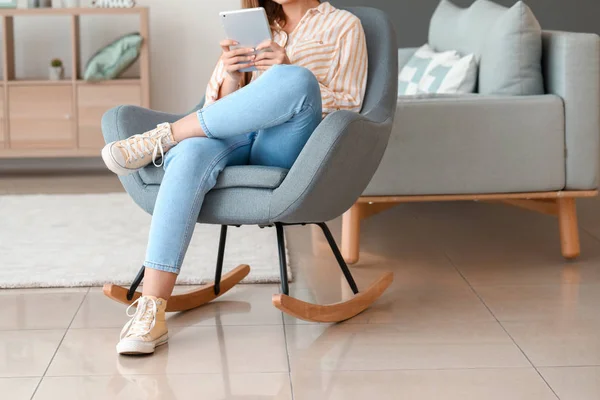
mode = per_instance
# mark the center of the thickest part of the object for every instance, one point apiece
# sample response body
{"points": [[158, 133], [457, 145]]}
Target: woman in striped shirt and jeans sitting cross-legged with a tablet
{"points": [[316, 64]]}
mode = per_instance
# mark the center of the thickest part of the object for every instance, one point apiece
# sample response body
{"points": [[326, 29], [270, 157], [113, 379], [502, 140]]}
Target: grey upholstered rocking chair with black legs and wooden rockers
{"points": [[330, 174]]}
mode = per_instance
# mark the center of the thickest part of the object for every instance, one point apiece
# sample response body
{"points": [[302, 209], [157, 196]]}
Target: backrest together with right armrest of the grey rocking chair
{"points": [[341, 157]]}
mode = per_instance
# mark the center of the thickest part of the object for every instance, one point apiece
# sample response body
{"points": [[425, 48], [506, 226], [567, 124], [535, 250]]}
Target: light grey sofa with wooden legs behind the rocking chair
{"points": [[534, 150]]}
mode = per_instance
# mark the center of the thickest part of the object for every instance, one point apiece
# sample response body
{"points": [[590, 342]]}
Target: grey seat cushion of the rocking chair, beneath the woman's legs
{"points": [[249, 176]]}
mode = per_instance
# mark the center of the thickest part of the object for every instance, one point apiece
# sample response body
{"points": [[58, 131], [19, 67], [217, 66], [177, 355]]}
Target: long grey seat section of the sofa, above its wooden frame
{"points": [[473, 144]]}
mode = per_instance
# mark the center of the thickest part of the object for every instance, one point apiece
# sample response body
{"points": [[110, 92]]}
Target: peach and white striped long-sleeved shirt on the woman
{"points": [[331, 44]]}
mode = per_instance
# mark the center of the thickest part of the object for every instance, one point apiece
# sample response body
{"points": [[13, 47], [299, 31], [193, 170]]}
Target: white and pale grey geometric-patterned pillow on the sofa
{"points": [[431, 72]]}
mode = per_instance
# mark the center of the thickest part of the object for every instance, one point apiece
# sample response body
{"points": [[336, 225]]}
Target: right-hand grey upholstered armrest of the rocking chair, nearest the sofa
{"points": [[332, 170]]}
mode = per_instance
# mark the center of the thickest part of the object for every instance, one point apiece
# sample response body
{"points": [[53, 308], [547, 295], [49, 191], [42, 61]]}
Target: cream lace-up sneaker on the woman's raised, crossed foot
{"points": [[127, 156]]}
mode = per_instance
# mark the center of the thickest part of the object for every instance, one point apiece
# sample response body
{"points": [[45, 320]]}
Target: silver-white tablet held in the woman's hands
{"points": [[249, 27]]}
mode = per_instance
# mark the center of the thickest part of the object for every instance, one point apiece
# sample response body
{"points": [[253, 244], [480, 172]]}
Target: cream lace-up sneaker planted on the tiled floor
{"points": [[147, 328]]}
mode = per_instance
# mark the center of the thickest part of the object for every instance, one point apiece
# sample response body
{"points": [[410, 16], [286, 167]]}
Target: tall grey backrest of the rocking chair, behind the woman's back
{"points": [[382, 83]]}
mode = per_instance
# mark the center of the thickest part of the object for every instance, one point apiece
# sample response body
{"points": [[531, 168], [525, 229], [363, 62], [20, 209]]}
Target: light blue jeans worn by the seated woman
{"points": [[268, 122]]}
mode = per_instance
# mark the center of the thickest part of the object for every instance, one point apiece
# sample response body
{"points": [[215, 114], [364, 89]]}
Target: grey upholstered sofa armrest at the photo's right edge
{"points": [[571, 63]]}
